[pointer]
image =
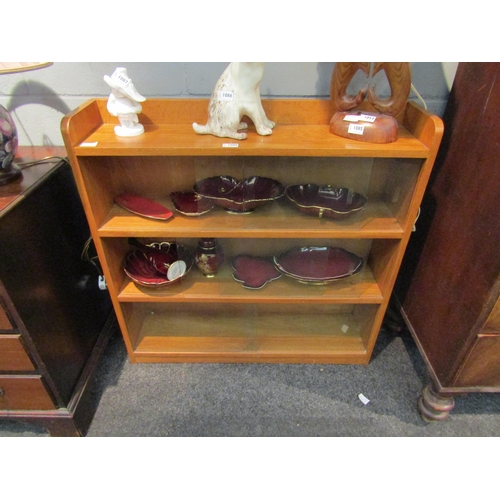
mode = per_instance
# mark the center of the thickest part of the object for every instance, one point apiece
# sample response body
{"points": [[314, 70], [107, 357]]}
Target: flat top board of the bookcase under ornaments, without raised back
{"points": [[181, 140]]}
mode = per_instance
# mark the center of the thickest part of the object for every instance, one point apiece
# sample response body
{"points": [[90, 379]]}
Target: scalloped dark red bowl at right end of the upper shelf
{"points": [[325, 201]]}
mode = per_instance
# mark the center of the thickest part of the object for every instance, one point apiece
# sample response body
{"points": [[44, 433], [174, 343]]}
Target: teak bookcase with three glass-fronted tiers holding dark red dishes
{"points": [[216, 319]]}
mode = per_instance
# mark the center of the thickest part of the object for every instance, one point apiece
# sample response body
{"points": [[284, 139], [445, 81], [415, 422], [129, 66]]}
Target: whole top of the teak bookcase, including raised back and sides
{"points": [[302, 129]]}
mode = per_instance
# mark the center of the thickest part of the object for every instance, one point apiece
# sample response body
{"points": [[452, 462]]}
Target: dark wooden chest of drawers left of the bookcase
{"points": [[54, 319]]}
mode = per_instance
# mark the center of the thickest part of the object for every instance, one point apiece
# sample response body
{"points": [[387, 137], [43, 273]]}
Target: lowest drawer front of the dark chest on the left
{"points": [[24, 393]]}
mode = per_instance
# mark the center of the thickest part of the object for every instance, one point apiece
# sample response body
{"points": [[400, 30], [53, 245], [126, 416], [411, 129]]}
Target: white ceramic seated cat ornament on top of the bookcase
{"points": [[236, 94]]}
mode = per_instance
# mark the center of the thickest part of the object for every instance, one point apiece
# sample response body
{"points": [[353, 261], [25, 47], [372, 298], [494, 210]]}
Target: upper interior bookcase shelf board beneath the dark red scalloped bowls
{"points": [[269, 221]]}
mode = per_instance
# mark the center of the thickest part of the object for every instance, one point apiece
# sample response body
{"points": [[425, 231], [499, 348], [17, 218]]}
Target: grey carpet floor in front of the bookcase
{"points": [[247, 400]]}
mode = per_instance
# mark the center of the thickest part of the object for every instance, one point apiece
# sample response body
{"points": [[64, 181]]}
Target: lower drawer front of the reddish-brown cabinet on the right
{"points": [[482, 367]]}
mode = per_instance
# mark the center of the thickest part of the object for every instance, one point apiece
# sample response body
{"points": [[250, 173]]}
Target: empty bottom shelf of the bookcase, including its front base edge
{"points": [[263, 336]]}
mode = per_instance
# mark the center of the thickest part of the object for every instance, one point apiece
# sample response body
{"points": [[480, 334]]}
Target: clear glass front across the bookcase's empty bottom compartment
{"points": [[249, 329]]}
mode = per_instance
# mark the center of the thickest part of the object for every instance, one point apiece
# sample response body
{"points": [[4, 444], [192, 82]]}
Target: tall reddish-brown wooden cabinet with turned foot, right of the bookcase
{"points": [[449, 284]]}
